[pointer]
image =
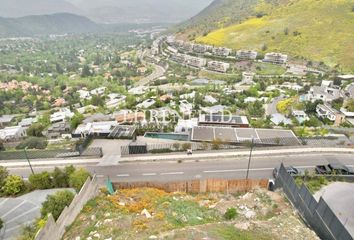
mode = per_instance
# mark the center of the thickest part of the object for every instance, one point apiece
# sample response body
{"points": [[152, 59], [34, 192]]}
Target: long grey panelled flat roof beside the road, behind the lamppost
{"points": [[239, 135]]}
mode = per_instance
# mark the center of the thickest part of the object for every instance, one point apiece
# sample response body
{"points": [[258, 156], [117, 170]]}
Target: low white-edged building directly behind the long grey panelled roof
{"points": [[223, 120]]}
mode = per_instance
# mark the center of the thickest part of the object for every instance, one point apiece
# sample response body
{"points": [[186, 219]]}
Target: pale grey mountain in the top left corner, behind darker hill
{"points": [[21, 8]]}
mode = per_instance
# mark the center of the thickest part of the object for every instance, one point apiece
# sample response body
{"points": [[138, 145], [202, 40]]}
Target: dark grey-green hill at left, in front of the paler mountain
{"points": [[59, 23]]}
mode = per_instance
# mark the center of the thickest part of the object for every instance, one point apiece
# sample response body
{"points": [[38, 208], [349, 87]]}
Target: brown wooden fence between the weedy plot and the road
{"points": [[199, 186]]}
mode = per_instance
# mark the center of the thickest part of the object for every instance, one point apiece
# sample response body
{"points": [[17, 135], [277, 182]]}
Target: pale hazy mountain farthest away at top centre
{"points": [[140, 11]]}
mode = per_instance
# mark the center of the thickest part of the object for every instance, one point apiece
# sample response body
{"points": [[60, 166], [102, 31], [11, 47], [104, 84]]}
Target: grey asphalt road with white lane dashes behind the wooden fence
{"points": [[261, 167]]}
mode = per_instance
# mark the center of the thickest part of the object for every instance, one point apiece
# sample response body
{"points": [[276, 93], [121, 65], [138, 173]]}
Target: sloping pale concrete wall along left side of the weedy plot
{"points": [[55, 230]]}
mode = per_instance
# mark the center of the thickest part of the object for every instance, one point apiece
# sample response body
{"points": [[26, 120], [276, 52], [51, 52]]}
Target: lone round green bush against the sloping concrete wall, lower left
{"points": [[56, 203]]}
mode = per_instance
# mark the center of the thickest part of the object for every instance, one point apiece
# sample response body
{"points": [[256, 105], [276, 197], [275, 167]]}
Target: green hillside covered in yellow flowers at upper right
{"points": [[319, 30]]}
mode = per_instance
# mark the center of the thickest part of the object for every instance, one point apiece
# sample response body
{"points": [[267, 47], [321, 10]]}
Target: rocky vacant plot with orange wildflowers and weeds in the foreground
{"points": [[148, 213]]}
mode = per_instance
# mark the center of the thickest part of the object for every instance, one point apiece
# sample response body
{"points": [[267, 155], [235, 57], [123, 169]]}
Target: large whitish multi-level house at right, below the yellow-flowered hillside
{"points": [[327, 92]]}
